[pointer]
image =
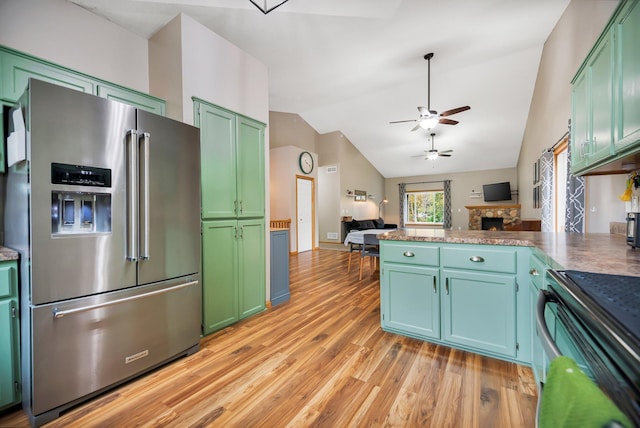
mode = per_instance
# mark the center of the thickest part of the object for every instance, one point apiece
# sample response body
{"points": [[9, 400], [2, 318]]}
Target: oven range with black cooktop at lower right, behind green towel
{"points": [[595, 320]]}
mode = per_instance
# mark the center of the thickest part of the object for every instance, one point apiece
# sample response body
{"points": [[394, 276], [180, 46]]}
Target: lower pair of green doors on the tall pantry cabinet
{"points": [[233, 271]]}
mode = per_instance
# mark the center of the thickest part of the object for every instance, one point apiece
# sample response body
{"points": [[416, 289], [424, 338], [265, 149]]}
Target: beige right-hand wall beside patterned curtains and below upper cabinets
{"points": [[564, 51]]}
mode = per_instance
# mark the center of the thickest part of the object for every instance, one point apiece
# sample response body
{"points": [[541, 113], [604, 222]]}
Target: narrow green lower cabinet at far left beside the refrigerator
{"points": [[9, 335]]}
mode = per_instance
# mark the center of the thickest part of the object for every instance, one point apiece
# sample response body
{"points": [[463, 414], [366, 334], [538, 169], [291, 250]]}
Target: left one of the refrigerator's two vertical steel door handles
{"points": [[132, 195]]}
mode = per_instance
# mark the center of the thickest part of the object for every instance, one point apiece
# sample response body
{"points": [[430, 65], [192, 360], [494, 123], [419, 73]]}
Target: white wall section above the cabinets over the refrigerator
{"points": [[66, 34]]}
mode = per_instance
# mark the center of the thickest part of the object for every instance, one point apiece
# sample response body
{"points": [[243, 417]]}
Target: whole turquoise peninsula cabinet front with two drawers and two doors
{"points": [[461, 295]]}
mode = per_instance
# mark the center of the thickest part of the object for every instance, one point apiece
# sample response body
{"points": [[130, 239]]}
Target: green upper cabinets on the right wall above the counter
{"points": [[606, 97]]}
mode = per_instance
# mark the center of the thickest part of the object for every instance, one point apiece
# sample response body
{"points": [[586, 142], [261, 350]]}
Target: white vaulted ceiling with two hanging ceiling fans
{"points": [[355, 65]]}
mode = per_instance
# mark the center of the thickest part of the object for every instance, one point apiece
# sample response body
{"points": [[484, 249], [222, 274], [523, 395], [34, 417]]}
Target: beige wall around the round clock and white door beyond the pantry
{"points": [[290, 135]]}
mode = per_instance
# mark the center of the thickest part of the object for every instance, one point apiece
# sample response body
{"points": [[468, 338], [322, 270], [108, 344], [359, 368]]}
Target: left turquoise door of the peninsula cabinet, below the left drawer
{"points": [[410, 300]]}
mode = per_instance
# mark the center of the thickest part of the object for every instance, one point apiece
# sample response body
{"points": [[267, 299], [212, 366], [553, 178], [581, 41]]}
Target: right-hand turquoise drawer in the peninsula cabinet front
{"points": [[482, 259]]}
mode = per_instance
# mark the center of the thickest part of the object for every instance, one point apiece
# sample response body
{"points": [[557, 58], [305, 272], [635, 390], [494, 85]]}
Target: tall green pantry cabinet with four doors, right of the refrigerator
{"points": [[233, 224]]}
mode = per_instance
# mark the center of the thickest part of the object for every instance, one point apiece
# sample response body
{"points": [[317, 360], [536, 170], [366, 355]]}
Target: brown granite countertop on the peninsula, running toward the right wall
{"points": [[591, 252]]}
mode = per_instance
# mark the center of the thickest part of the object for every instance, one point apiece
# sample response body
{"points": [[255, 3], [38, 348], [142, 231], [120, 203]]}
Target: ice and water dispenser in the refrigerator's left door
{"points": [[80, 211]]}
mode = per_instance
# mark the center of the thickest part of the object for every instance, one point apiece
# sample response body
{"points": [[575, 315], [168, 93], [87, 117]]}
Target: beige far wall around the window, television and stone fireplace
{"points": [[462, 186]]}
